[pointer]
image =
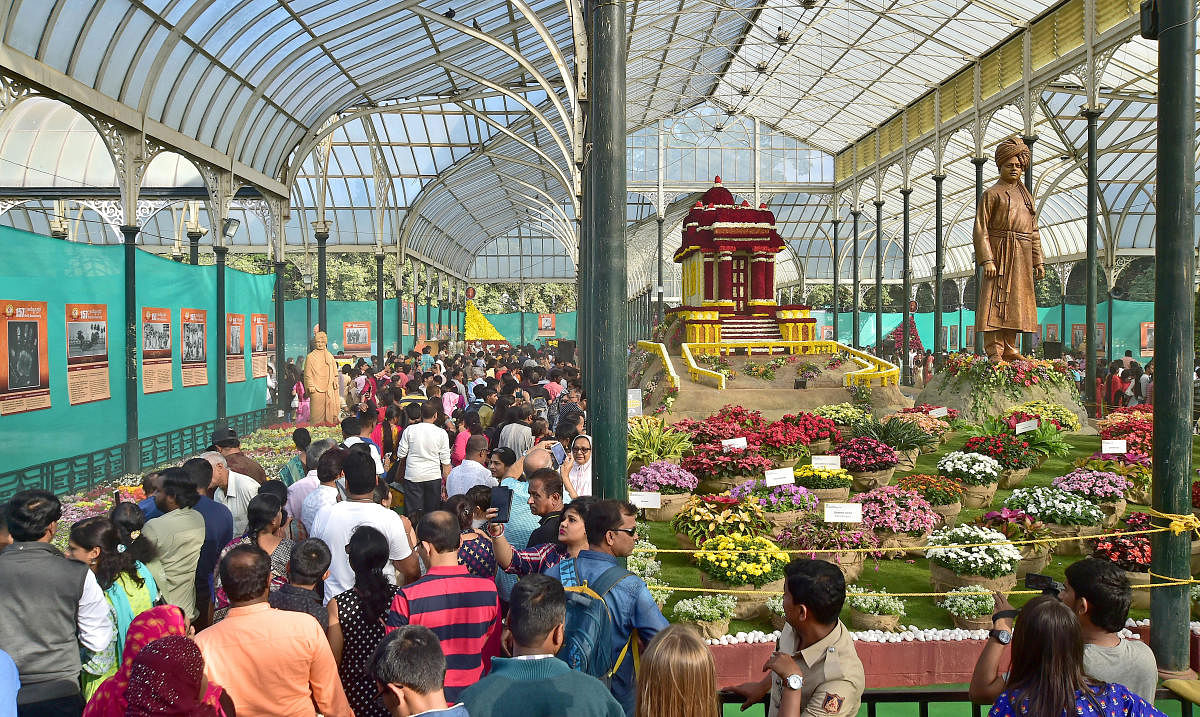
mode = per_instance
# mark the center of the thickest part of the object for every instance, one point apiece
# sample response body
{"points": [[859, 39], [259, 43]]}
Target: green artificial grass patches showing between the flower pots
{"points": [[907, 575]]}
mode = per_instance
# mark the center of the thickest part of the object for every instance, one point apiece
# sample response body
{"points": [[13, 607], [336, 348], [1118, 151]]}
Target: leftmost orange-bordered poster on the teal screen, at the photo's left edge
{"points": [[26, 366]]}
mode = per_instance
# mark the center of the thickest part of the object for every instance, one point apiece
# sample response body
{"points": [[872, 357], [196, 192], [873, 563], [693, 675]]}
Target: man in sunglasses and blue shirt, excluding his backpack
{"points": [[613, 532]]}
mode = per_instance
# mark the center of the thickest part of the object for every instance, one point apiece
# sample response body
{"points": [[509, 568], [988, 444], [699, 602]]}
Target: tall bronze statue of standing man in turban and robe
{"points": [[1009, 248]]}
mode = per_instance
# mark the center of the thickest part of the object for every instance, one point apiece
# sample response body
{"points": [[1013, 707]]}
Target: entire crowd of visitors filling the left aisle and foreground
{"points": [[497, 589]]}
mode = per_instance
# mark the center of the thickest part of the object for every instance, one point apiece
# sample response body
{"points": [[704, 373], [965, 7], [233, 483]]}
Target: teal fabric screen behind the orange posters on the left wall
{"points": [[38, 268]]}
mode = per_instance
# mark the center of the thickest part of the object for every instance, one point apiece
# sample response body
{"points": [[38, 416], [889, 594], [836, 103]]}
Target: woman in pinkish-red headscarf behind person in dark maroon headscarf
{"points": [[111, 700]]}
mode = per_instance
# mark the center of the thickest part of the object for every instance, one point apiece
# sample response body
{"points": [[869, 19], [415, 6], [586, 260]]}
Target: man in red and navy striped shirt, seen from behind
{"points": [[463, 610]]}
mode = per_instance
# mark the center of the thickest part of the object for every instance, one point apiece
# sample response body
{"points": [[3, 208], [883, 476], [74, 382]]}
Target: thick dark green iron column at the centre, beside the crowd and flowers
{"points": [[607, 119]]}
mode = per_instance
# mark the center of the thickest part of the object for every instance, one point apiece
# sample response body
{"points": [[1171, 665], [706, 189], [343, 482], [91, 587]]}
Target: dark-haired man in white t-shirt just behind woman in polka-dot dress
{"points": [[335, 525]]}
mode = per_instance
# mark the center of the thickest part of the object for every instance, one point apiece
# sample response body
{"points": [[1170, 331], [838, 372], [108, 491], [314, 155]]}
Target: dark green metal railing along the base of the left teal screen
{"points": [[80, 473]]}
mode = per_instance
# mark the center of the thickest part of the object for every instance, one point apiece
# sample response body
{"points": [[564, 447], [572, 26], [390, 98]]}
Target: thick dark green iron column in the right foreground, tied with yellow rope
{"points": [[1174, 312]]}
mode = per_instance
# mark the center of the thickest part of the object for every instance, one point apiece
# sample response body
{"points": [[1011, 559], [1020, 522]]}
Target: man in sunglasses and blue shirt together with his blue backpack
{"points": [[607, 605]]}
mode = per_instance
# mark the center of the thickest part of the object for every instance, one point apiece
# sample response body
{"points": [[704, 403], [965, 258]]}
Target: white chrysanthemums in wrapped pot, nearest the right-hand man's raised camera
{"points": [[973, 556]]}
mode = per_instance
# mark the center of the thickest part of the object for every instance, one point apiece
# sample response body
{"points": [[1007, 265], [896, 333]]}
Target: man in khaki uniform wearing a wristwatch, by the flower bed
{"points": [[815, 672]]}
